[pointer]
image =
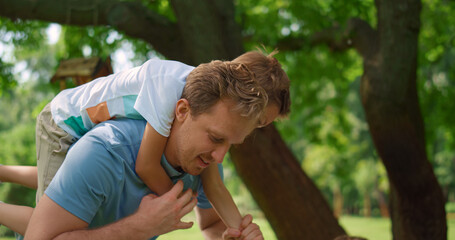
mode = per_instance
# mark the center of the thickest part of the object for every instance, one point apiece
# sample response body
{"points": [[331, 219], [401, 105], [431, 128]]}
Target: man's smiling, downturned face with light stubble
{"points": [[196, 142]]}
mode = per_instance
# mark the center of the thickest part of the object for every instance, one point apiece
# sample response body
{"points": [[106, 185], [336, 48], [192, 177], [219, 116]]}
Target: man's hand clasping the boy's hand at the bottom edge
{"points": [[250, 231]]}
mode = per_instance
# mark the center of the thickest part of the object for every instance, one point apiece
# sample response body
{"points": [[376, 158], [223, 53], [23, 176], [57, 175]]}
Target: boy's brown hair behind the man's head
{"points": [[270, 76]]}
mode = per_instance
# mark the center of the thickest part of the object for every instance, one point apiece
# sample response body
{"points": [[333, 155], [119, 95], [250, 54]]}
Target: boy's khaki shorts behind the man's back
{"points": [[52, 144]]}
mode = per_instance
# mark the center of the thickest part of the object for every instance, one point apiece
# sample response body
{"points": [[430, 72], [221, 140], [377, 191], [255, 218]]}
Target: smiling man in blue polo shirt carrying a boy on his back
{"points": [[96, 193]]}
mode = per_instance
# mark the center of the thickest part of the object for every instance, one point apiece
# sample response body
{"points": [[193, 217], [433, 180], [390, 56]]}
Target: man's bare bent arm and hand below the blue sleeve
{"points": [[155, 216]]}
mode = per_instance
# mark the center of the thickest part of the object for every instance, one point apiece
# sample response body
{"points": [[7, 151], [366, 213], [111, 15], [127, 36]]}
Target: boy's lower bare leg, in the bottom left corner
{"points": [[15, 217]]}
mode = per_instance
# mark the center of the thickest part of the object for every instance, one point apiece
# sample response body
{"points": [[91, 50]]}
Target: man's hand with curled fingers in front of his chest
{"points": [[163, 214]]}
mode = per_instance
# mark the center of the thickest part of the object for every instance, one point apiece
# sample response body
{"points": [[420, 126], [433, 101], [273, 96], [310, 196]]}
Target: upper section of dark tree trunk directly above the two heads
{"points": [[210, 29]]}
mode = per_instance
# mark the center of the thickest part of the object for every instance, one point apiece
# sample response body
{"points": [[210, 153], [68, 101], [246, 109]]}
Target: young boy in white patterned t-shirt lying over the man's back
{"points": [[150, 92]]}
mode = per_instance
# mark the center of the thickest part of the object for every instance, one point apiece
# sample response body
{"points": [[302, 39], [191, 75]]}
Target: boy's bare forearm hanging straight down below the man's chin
{"points": [[220, 198]]}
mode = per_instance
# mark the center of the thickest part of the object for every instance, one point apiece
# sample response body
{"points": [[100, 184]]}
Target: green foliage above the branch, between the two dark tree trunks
{"points": [[268, 22]]}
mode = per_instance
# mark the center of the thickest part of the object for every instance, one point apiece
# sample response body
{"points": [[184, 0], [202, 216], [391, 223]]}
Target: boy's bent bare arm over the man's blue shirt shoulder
{"points": [[148, 160]]}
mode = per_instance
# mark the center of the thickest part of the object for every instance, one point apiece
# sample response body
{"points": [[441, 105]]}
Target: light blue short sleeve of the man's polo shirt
{"points": [[85, 179]]}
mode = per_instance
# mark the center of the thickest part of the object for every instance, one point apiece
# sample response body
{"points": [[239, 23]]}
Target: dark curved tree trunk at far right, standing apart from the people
{"points": [[391, 104]]}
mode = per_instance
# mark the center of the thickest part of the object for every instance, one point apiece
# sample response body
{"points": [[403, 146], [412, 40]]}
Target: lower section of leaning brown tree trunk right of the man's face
{"points": [[291, 202]]}
